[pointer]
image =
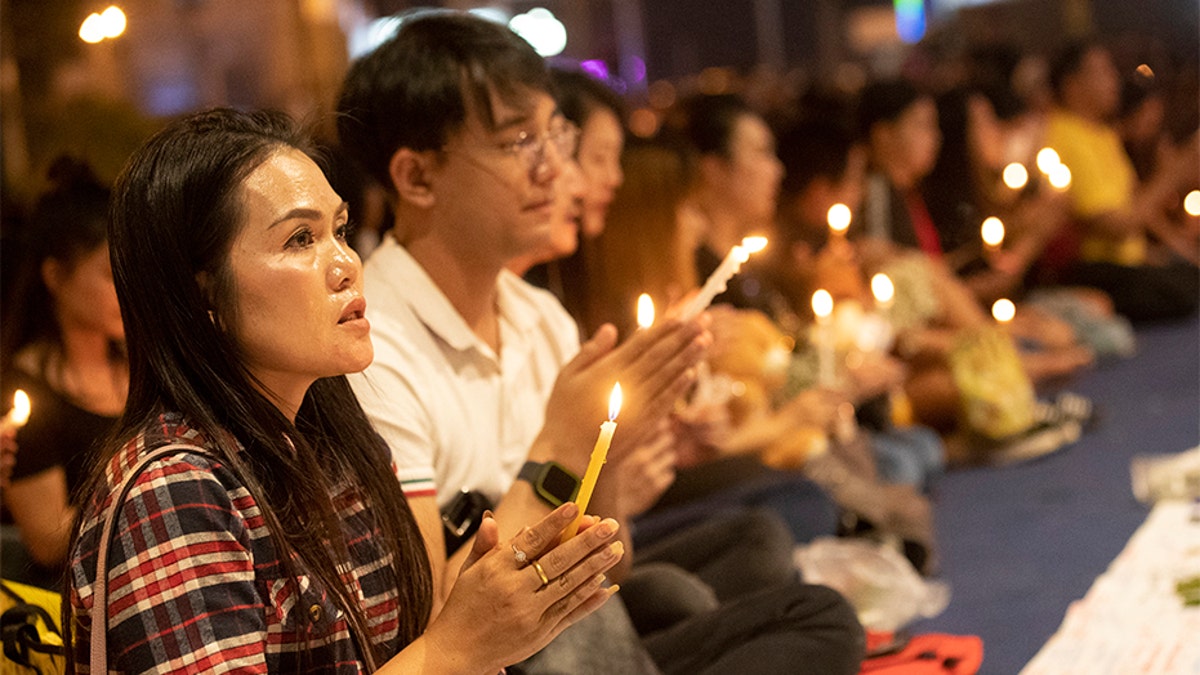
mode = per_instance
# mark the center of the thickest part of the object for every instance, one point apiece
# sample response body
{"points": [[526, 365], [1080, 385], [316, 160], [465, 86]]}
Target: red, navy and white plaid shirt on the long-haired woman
{"points": [[195, 581]]}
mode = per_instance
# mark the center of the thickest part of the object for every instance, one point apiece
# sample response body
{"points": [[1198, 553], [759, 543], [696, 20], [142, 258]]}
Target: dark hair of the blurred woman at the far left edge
{"points": [[69, 222]]}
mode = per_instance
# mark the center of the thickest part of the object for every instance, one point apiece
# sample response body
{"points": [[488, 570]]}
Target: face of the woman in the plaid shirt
{"points": [[298, 286]]}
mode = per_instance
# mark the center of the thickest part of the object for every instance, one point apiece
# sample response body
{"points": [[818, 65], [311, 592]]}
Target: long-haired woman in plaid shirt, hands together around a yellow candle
{"points": [[277, 539]]}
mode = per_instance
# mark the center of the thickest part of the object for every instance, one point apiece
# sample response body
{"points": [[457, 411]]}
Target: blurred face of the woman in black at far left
{"points": [[85, 295]]}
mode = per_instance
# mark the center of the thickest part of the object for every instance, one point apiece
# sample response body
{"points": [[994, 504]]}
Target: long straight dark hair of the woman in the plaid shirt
{"points": [[177, 211]]}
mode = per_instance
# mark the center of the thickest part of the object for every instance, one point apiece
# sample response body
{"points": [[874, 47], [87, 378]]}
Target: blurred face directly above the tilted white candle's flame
{"points": [[753, 171]]}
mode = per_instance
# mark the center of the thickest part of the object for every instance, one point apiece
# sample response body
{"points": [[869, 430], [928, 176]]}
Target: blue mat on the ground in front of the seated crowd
{"points": [[1021, 543]]}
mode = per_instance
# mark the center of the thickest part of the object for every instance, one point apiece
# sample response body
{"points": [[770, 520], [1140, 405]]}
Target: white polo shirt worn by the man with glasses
{"points": [[455, 415]]}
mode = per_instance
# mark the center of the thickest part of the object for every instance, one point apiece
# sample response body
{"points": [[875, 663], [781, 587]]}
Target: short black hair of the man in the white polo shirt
{"points": [[415, 89]]}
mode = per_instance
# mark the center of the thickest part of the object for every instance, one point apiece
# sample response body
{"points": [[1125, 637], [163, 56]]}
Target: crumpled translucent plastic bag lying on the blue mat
{"points": [[881, 584]]}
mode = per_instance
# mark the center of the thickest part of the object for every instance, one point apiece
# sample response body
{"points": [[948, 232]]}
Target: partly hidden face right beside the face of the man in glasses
{"points": [[601, 146]]}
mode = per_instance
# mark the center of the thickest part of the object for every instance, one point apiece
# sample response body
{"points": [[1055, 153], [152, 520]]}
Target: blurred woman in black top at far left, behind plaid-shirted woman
{"points": [[64, 345]]}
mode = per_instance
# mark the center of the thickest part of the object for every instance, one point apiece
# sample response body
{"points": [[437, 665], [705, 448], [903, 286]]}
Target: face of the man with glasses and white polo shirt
{"points": [[497, 187]]}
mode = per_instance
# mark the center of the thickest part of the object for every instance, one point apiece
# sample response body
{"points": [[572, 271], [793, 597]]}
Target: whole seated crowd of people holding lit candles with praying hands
{"points": [[265, 440]]}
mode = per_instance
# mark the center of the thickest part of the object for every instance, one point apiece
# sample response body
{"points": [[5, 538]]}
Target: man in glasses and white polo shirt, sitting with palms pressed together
{"points": [[454, 116]]}
